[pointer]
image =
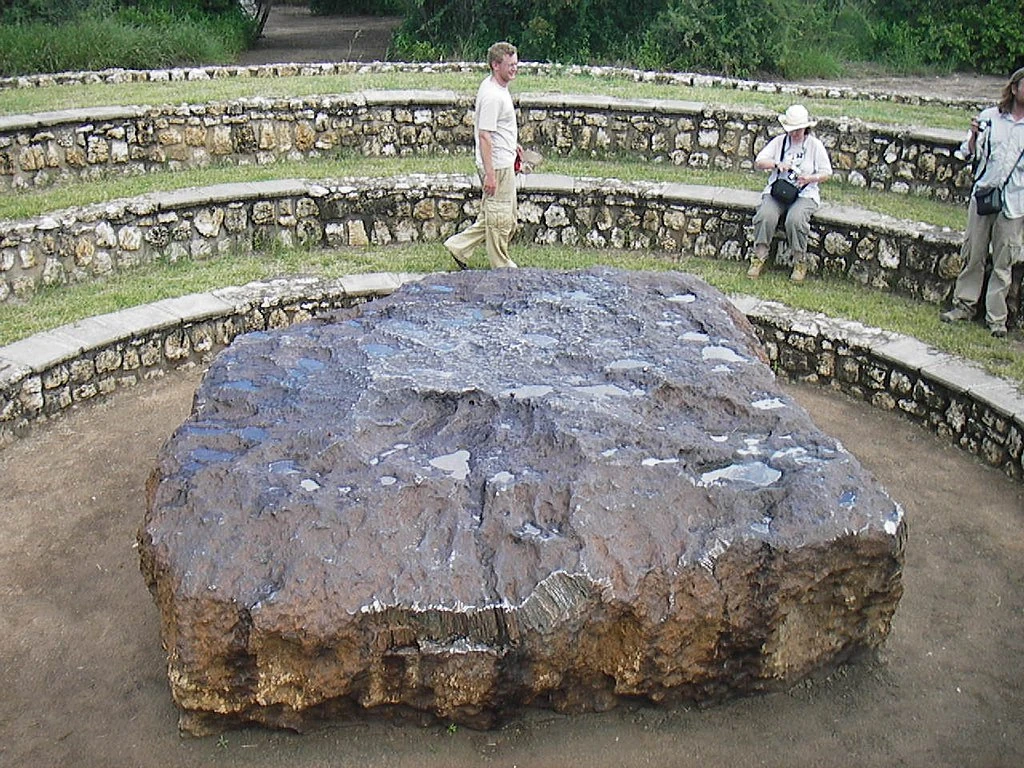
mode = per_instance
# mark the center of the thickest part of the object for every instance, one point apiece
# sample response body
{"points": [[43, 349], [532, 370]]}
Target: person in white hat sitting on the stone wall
{"points": [[800, 158]]}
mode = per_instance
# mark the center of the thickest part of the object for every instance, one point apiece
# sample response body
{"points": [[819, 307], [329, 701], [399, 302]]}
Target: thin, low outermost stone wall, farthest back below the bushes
{"points": [[326, 69]]}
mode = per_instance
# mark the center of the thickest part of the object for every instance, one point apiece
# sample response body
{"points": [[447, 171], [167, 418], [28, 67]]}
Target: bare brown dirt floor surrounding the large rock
{"points": [[82, 673]]}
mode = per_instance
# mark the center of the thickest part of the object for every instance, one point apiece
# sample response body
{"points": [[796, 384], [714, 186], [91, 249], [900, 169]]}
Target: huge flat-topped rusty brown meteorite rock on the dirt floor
{"points": [[506, 488]]}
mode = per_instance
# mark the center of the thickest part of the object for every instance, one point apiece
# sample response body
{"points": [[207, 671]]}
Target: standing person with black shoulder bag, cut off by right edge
{"points": [[996, 142]]}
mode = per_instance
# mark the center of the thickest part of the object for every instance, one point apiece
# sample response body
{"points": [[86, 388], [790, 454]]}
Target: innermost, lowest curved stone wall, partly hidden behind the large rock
{"points": [[45, 375]]}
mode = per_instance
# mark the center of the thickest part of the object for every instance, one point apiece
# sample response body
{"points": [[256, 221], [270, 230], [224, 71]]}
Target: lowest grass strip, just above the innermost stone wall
{"points": [[56, 307]]}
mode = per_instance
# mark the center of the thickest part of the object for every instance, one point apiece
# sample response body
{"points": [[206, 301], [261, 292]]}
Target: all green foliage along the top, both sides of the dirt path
{"points": [[743, 38]]}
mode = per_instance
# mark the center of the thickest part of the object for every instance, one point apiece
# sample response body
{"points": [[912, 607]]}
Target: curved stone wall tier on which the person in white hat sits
{"points": [[675, 221]]}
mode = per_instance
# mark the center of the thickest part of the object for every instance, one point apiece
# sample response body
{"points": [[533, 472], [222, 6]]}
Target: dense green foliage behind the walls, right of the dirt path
{"points": [[794, 38]]}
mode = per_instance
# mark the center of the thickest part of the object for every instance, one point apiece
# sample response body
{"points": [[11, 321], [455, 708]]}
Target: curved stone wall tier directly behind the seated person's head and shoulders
{"points": [[50, 149]]}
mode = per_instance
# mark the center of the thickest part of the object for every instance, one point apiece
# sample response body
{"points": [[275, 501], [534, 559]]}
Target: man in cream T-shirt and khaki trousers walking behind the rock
{"points": [[497, 138]]}
